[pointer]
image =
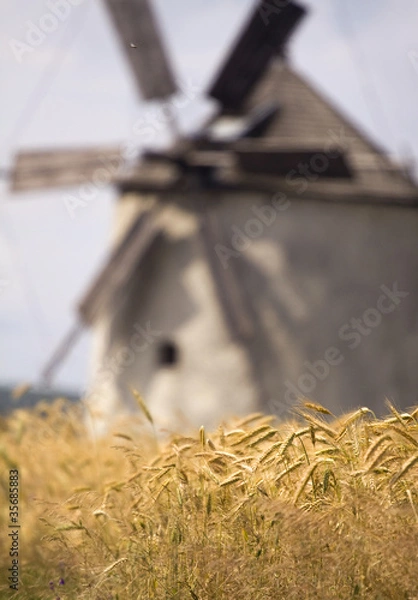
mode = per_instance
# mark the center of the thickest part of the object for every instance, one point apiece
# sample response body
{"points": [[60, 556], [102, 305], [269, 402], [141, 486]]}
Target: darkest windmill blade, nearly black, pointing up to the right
{"points": [[265, 35]]}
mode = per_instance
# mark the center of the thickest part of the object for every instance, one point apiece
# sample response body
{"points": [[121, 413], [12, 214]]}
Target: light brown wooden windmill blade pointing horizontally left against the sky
{"points": [[39, 169]]}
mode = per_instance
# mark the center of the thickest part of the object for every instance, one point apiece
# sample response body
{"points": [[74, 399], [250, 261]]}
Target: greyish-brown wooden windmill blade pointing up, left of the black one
{"points": [[138, 31]]}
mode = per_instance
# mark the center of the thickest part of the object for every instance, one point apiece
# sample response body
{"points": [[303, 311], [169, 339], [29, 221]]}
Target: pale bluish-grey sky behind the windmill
{"points": [[74, 89]]}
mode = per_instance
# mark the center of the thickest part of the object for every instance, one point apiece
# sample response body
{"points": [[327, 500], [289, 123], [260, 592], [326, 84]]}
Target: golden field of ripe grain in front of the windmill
{"points": [[320, 508]]}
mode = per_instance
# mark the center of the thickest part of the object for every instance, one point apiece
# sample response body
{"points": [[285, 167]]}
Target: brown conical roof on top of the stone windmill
{"points": [[307, 129]]}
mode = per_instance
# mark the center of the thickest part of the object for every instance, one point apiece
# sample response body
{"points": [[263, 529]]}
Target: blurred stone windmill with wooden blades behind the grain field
{"points": [[253, 262]]}
